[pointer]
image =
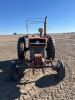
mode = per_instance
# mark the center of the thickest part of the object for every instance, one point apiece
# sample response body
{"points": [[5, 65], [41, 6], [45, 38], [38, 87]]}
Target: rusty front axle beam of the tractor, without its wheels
{"points": [[32, 65]]}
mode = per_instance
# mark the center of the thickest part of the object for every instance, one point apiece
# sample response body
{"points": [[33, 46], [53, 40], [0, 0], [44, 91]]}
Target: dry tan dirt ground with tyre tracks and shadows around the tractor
{"points": [[39, 86]]}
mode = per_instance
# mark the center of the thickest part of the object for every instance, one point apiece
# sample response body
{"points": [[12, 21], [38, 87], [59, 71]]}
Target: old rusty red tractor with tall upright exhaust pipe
{"points": [[41, 51]]}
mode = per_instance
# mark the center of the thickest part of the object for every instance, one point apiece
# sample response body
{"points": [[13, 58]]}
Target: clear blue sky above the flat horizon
{"points": [[60, 15]]}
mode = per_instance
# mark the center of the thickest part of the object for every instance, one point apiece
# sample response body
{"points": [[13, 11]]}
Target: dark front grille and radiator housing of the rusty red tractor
{"points": [[36, 45]]}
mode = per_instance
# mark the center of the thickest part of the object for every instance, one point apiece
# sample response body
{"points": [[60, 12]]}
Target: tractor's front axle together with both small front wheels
{"points": [[18, 67]]}
